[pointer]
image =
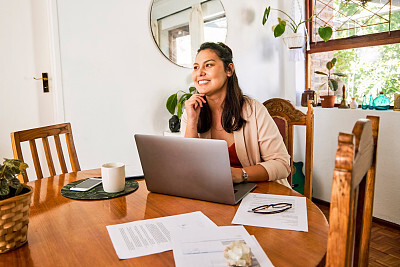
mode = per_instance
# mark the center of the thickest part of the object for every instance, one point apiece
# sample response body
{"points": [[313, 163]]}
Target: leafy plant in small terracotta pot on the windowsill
{"points": [[328, 101]]}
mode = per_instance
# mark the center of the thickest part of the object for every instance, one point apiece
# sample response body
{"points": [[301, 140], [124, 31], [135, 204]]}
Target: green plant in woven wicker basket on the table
{"points": [[15, 200]]}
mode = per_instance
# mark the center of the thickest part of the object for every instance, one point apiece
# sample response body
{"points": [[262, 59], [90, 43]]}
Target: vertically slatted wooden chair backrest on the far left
{"points": [[43, 133]]}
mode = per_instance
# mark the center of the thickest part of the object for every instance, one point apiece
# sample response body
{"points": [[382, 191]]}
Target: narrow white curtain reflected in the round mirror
{"points": [[196, 29]]}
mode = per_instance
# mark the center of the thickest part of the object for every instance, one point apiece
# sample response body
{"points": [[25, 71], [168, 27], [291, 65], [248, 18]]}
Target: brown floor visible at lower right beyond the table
{"points": [[385, 243]]}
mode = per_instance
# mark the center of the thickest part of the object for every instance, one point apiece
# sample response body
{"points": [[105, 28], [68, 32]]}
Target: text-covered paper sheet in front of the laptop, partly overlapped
{"points": [[145, 237]]}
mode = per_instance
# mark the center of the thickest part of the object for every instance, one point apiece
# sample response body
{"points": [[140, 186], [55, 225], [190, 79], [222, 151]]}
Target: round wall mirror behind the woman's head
{"points": [[180, 27]]}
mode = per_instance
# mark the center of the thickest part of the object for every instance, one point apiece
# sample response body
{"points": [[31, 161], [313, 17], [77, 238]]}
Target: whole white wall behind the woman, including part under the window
{"points": [[116, 83]]}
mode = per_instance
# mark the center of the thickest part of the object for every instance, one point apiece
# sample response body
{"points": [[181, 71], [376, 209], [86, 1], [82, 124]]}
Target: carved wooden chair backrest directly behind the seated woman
{"points": [[286, 116]]}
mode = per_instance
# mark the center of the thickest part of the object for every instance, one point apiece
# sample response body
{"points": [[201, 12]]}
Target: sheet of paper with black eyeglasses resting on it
{"points": [[292, 219]]}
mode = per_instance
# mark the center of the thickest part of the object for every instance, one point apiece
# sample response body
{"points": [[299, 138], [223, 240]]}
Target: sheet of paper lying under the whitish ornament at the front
{"points": [[206, 248]]}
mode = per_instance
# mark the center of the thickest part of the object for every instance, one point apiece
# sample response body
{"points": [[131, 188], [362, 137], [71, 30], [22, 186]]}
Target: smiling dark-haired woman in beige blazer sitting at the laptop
{"points": [[220, 111]]}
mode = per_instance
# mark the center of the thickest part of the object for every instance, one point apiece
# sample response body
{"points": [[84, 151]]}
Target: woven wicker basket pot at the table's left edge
{"points": [[14, 220]]}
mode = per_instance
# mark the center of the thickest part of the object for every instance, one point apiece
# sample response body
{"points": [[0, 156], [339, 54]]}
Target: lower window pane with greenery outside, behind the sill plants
{"points": [[369, 70]]}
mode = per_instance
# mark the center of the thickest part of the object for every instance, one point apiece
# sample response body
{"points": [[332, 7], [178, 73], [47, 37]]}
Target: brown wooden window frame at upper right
{"points": [[383, 38]]}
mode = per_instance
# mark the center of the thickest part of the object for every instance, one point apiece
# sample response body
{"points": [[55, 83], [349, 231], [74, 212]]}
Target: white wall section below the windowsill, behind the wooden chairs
{"points": [[327, 125]]}
